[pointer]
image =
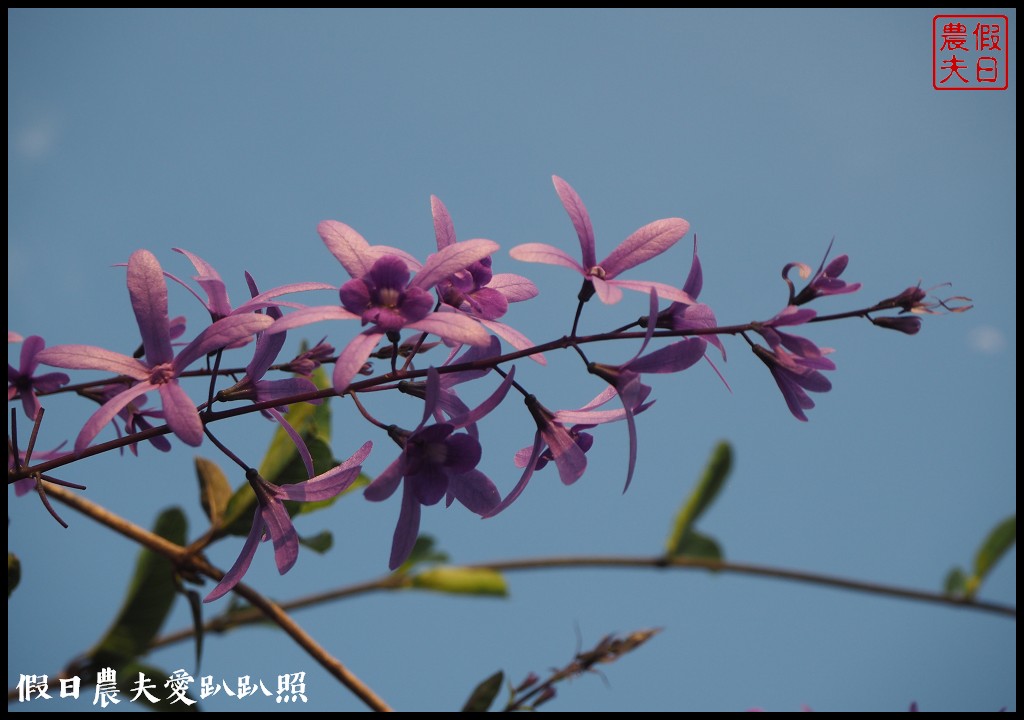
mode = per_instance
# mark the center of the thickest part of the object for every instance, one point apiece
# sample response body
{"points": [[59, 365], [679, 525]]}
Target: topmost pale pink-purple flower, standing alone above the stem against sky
{"points": [[649, 242]]}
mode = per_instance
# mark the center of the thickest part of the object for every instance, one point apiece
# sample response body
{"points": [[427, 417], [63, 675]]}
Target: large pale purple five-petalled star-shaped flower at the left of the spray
{"points": [[160, 372]]}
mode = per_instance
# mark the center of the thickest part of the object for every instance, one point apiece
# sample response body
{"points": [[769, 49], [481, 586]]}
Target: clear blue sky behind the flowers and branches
{"points": [[234, 134]]}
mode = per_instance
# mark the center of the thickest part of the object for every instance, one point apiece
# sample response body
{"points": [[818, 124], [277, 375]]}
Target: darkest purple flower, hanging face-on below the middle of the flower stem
{"points": [[437, 461]]}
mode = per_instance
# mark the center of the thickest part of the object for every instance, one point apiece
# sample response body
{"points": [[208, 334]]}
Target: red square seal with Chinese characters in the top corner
{"points": [[971, 53]]}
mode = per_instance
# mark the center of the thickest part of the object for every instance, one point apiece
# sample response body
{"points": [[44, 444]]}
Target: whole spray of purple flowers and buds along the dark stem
{"points": [[453, 301]]}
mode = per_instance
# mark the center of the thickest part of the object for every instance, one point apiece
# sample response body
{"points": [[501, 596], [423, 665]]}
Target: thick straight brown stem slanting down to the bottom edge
{"points": [[182, 558]]}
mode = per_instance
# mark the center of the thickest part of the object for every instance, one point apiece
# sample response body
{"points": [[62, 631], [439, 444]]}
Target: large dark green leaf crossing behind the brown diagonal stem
{"points": [[148, 602]]}
